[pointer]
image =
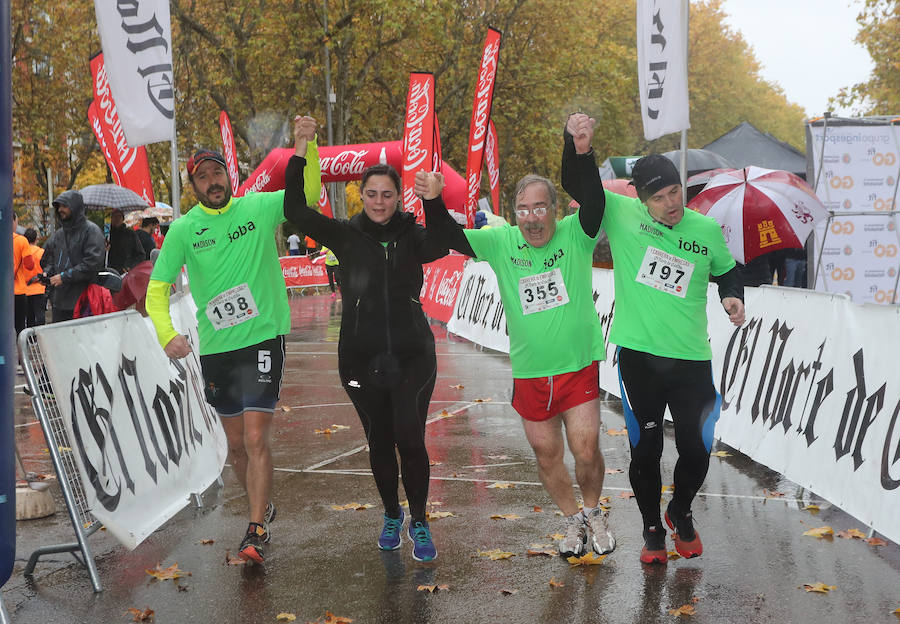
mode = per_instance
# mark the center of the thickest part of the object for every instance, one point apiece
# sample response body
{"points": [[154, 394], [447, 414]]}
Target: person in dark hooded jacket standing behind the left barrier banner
{"points": [[73, 256]]}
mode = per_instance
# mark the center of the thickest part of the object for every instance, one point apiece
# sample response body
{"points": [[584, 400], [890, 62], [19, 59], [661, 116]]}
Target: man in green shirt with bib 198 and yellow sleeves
{"points": [[227, 245]]}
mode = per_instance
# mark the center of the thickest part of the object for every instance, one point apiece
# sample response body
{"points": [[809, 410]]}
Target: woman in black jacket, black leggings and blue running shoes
{"points": [[386, 351]]}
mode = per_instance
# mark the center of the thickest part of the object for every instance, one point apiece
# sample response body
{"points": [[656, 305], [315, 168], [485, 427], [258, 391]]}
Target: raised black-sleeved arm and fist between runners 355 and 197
{"points": [[580, 176]]}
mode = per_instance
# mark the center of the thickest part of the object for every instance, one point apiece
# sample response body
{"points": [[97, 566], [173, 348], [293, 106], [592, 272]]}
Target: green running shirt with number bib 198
{"points": [[231, 256]]}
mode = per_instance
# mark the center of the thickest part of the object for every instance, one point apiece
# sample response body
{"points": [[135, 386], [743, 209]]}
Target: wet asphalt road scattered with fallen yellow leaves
{"points": [[751, 521]]}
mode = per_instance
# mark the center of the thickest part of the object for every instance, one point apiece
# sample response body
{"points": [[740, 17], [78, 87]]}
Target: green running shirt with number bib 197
{"points": [[661, 277]]}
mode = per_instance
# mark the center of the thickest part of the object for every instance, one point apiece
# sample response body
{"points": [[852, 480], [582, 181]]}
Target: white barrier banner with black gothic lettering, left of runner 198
{"points": [[143, 437]]}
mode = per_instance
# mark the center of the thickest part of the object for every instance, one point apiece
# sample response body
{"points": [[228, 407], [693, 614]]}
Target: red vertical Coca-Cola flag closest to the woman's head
{"points": [[418, 138]]}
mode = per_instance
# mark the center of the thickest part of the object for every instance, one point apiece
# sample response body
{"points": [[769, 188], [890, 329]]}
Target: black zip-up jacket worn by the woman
{"points": [[381, 272]]}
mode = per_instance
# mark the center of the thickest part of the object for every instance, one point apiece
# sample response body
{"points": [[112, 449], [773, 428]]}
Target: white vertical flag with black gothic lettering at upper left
{"points": [[137, 43]]}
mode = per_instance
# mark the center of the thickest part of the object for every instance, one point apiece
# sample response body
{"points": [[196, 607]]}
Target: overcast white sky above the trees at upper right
{"points": [[806, 46]]}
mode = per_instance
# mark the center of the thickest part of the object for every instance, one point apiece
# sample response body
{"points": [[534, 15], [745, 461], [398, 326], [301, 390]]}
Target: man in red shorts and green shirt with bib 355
{"points": [[543, 269]]}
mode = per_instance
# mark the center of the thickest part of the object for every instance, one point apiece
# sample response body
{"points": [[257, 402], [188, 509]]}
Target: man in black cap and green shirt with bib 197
{"points": [[663, 256]]}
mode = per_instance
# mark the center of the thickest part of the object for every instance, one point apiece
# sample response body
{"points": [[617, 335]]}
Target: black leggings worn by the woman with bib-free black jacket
{"points": [[393, 413]]}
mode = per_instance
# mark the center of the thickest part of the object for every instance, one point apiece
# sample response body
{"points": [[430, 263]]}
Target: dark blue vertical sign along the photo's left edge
{"points": [[7, 335]]}
